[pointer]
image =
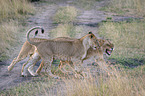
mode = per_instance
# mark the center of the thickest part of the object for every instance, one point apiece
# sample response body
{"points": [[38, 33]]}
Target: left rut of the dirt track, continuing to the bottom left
{"points": [[42, 18]]}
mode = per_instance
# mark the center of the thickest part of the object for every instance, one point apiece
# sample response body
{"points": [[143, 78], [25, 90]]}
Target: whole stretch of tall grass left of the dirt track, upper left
{"points": [[11, 12]]}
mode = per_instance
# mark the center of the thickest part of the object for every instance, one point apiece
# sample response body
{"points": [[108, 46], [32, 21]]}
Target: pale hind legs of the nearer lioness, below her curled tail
{"points": [[31, 61]]}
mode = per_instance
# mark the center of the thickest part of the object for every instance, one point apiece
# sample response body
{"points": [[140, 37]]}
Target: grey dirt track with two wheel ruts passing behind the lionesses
{"points": [[88, 19]]}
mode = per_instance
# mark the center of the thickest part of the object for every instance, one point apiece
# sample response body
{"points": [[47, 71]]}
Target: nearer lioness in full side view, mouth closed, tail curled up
{"points": [[64, 50]]}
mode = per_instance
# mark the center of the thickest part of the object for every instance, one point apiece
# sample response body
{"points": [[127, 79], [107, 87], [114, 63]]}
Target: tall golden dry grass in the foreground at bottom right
{"points": [[118, 84]]}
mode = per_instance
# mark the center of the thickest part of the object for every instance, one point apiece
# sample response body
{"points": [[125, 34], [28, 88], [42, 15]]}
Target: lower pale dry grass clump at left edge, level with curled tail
{"points": [[7, 37]]}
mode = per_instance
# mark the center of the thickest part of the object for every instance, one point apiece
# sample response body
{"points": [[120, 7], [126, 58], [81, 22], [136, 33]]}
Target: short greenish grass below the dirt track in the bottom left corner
{"points": [[35, 87]]}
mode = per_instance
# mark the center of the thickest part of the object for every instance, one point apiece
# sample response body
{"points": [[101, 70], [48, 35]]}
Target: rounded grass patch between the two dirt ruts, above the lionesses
{"points": [[65, 14]]}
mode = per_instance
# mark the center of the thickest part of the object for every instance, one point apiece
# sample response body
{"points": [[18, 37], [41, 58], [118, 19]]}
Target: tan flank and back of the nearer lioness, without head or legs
{"points": [[61, 48]]}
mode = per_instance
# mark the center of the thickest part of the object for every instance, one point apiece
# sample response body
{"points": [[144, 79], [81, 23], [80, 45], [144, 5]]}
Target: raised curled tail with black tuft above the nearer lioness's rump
{"points": [[29, 31]]}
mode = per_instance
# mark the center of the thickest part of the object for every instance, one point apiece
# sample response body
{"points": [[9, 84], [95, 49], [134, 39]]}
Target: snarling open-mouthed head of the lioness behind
{"points": [[107, 46]]}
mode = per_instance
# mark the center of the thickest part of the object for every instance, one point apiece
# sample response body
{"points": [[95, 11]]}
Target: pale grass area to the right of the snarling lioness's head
{"points": [[128, 39]]}
